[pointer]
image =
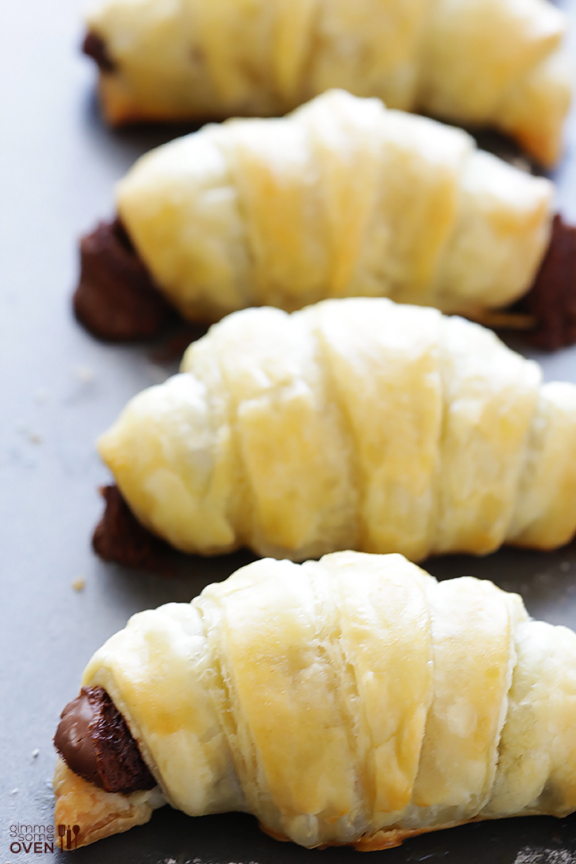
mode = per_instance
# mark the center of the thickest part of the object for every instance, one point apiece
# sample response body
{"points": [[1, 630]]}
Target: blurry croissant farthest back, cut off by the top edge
{"points": [[475, 62]]}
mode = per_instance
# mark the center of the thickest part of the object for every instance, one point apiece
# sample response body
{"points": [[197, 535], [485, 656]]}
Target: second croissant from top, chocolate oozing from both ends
{"points": [[343, 197]]}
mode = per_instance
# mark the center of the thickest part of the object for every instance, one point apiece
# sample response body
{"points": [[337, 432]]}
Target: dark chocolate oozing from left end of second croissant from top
{"points": [[116, 298]]}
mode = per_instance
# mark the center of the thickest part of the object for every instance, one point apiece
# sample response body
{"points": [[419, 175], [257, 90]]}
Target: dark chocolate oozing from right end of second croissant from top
{"points": [[552, 298]]}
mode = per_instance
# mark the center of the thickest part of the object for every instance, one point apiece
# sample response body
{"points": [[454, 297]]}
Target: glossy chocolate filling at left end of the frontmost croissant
{"points": [[95, 742]]}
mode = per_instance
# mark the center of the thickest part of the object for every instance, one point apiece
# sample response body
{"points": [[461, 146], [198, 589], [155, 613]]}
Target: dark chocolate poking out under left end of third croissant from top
{"points": [[121, 538]]}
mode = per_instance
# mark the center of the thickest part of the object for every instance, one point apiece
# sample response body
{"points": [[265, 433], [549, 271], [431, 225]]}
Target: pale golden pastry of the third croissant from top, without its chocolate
{"points": [[352, 424]]}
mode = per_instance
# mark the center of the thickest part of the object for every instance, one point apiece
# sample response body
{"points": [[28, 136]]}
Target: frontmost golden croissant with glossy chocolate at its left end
{"points": [[406, 706]]}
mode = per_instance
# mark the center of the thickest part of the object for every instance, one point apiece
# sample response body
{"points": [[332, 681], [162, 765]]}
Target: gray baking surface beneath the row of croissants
{"points": [[59, 389]]}
